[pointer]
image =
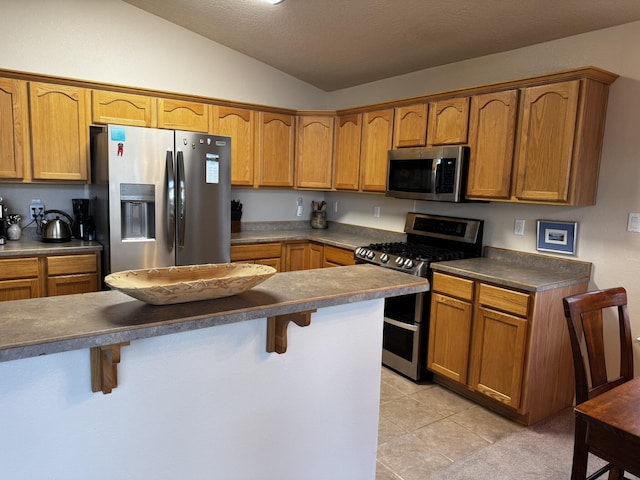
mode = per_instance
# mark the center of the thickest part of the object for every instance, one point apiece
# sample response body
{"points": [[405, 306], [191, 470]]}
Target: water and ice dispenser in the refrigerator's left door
{"points": [[137, 210]]}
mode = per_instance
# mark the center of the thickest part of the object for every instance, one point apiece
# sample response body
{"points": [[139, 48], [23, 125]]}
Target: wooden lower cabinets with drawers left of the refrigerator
{"points": [[42, 276]]}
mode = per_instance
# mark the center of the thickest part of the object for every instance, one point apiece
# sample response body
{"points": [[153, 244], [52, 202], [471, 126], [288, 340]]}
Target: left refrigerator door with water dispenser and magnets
{"points": [[138, 197]]}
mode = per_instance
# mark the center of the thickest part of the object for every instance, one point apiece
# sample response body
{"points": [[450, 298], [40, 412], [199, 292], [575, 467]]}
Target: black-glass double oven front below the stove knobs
{"points": [[403, 349]]}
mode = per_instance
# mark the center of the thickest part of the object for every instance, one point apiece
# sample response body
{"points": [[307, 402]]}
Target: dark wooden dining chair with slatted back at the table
{"points": [[585, 319]]}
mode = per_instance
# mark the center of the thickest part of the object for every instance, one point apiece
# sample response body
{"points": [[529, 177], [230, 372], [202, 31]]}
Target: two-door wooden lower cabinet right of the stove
{"points": [[504, 348]]}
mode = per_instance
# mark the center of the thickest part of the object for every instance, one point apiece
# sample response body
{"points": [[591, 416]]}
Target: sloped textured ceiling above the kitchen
{"points": [[335, 44]]}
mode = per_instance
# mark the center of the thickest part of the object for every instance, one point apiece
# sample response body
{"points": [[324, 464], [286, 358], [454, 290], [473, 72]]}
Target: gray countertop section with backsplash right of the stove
{"points": [[525, 271]]}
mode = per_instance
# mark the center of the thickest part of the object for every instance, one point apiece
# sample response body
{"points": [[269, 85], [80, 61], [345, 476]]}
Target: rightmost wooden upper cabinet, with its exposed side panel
{"points": [[551, 165]]}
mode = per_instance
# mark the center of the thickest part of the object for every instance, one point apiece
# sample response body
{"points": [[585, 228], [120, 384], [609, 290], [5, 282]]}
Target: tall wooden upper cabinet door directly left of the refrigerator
{"points": [[59, 131]]}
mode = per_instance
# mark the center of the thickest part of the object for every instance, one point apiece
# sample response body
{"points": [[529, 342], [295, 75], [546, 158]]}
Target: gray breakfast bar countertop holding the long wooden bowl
{"points": [[55, 324]]}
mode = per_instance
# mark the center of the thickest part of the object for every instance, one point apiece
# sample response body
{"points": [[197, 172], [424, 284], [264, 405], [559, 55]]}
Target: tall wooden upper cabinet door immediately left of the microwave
{"points": [[377, 133]]}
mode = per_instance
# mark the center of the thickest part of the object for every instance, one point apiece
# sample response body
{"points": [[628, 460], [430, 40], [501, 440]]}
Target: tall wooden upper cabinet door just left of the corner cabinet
{"points": [[276, 138]]}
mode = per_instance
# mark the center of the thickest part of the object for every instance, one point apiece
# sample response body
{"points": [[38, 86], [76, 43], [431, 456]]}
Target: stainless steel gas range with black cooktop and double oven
{"points": [[430, 238]]}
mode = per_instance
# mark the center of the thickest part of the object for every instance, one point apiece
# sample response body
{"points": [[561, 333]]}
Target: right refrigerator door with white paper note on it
{"points": [[203, 212]]}
